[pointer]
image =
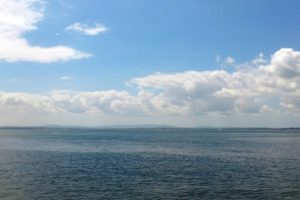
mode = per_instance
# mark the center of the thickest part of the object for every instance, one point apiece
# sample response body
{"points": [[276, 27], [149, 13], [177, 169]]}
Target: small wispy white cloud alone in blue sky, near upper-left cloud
{"points": [[86, 30]]}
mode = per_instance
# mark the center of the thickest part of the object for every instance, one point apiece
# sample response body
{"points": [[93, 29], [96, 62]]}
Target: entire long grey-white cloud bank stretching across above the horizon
{"points": [[271, 88]]}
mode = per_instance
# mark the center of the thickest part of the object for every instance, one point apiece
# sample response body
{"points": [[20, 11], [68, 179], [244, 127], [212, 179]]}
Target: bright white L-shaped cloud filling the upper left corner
{"points": [[18, 17]]}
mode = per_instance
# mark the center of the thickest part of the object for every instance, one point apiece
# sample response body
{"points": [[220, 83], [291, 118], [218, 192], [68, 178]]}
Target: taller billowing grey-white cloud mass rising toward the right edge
{"points": [[243, 91]]}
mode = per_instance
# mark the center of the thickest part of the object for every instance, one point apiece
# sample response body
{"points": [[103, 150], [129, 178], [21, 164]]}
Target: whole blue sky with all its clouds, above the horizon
{"points": [[190, 63]]}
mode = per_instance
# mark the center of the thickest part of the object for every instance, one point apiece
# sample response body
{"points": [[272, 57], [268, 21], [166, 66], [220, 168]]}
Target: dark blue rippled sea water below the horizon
{"points": [[149, 164]]}
